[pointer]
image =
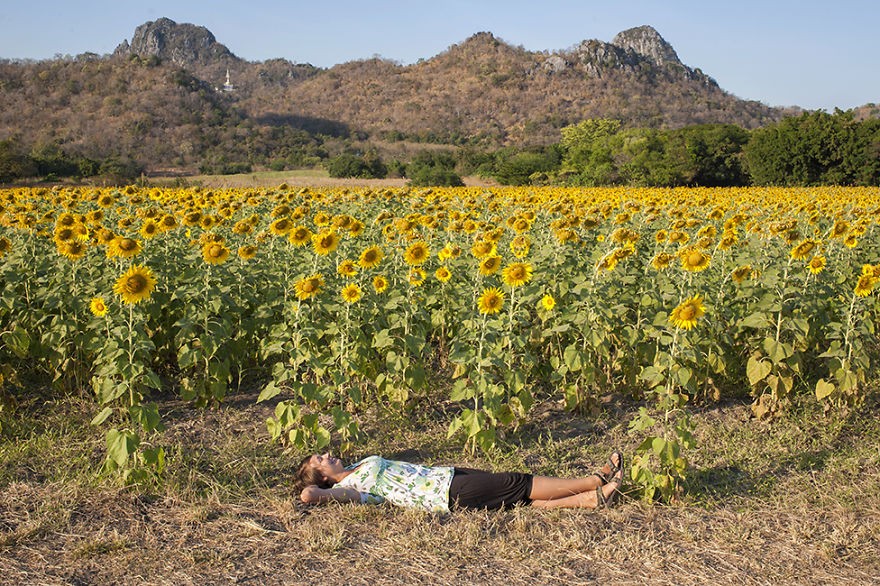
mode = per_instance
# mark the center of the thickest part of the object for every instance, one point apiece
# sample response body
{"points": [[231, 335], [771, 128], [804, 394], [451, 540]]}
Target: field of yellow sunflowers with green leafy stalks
{"points": [[331, 302]]}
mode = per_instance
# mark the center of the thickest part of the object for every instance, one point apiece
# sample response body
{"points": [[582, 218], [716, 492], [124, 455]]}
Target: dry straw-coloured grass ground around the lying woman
{"points": [[788, 503]]}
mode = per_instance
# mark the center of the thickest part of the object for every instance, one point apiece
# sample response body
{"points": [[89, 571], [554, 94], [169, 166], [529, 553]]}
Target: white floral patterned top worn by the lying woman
{"points": [[400, 483]]}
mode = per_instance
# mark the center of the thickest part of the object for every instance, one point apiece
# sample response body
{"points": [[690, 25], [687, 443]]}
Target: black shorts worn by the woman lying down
{"points": [[478, 489]]}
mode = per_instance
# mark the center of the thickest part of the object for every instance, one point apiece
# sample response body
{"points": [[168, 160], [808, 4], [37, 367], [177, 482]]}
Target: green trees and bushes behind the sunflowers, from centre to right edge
{"points": [[815, 148]]}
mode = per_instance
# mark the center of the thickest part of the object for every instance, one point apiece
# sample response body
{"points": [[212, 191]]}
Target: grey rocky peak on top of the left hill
{"points": [[183, 44]]}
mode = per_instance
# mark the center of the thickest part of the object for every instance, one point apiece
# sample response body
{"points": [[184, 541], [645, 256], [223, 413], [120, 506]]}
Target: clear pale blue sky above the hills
{"points": [[813, 54]]}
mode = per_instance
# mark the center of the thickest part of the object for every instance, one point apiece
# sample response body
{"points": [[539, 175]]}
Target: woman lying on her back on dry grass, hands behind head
{"points": [[374, 480]]}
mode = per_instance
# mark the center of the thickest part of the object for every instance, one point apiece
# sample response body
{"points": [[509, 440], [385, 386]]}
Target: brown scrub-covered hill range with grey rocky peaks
{"points": [[160, 97]]}
